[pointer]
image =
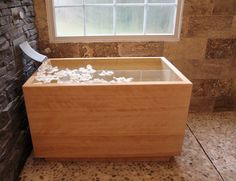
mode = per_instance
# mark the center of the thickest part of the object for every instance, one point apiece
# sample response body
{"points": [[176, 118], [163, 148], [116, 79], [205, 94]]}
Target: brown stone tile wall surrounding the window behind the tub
{"points": [[206, 53]]}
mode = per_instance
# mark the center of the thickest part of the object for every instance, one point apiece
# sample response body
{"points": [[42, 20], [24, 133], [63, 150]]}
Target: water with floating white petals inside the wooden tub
{"points": [[52, 74]]}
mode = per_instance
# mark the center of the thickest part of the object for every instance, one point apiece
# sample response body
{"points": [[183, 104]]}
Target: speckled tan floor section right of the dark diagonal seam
{"points": [[217, 135]]}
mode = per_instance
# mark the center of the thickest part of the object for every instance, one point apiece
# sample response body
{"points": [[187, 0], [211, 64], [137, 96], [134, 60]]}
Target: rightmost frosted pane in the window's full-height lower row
{"points": [[160, 19]]}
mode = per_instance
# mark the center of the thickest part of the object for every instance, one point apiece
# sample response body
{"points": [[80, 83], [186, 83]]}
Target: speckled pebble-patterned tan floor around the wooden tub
{"points": [[209, 153]]}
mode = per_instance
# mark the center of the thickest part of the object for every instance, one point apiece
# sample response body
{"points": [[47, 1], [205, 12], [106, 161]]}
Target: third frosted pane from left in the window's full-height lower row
{"points": [[129, 20]]}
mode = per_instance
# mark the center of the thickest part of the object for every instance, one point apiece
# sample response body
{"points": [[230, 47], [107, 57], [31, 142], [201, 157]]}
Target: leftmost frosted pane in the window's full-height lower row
{"points": [[69, 21]]}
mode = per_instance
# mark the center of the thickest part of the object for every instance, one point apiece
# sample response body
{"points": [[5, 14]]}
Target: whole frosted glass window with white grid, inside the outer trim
{"points": [[82, 18]]}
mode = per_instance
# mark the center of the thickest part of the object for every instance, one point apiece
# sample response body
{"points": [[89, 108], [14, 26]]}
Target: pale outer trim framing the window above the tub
{"points": [[112, 38]]}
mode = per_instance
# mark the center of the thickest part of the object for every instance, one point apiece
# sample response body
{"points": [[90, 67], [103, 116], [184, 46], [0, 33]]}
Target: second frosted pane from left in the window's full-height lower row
{"points": [[99, 20]]}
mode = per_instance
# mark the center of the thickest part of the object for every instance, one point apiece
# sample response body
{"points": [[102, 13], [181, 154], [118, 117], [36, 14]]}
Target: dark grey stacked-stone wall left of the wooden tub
{"points": [[15, 68]]}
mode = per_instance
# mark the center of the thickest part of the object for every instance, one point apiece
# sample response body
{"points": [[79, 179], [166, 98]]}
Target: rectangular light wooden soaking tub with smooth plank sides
{"points": [[145, 118]]}
